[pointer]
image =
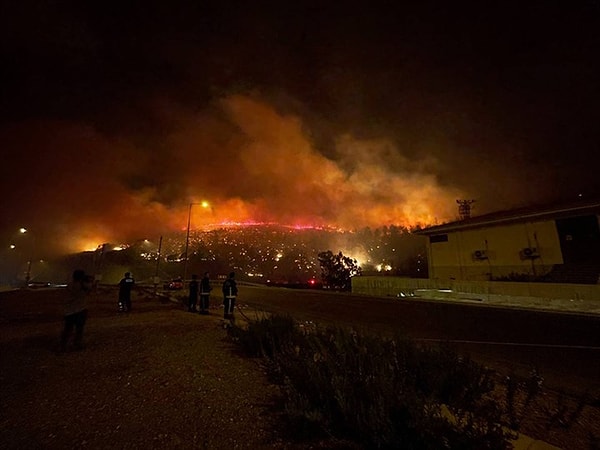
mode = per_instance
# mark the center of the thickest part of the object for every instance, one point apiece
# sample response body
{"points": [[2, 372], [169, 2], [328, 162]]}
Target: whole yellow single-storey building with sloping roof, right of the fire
{"points": [[559, 244]]}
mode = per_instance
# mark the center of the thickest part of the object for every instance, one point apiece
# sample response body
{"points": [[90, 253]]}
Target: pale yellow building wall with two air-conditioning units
{"points": [[455, 260]]}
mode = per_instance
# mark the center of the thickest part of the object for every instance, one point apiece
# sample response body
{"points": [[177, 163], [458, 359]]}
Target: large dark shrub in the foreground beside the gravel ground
{"points": [[377, 392]]}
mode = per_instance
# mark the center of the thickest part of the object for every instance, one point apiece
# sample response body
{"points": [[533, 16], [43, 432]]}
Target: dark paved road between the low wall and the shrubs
{"points": [[564, 347]]}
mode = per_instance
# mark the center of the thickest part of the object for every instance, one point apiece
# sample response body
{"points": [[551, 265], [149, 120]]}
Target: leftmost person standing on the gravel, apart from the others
{"points": [[76, 309]]}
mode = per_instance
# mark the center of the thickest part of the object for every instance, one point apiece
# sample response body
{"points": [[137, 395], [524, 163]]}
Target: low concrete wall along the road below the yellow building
{"points": [[476, 290]]}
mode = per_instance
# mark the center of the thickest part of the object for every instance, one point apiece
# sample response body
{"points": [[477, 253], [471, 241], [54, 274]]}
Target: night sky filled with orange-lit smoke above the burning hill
{"points": [[114, 118]]}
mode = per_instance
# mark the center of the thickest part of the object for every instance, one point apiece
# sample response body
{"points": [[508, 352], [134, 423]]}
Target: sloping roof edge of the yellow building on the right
{"points": [[519, 215]]}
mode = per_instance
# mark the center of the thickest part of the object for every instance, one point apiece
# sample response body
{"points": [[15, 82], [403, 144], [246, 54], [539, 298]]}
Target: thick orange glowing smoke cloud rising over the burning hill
{"points": [[251, 163]]}
